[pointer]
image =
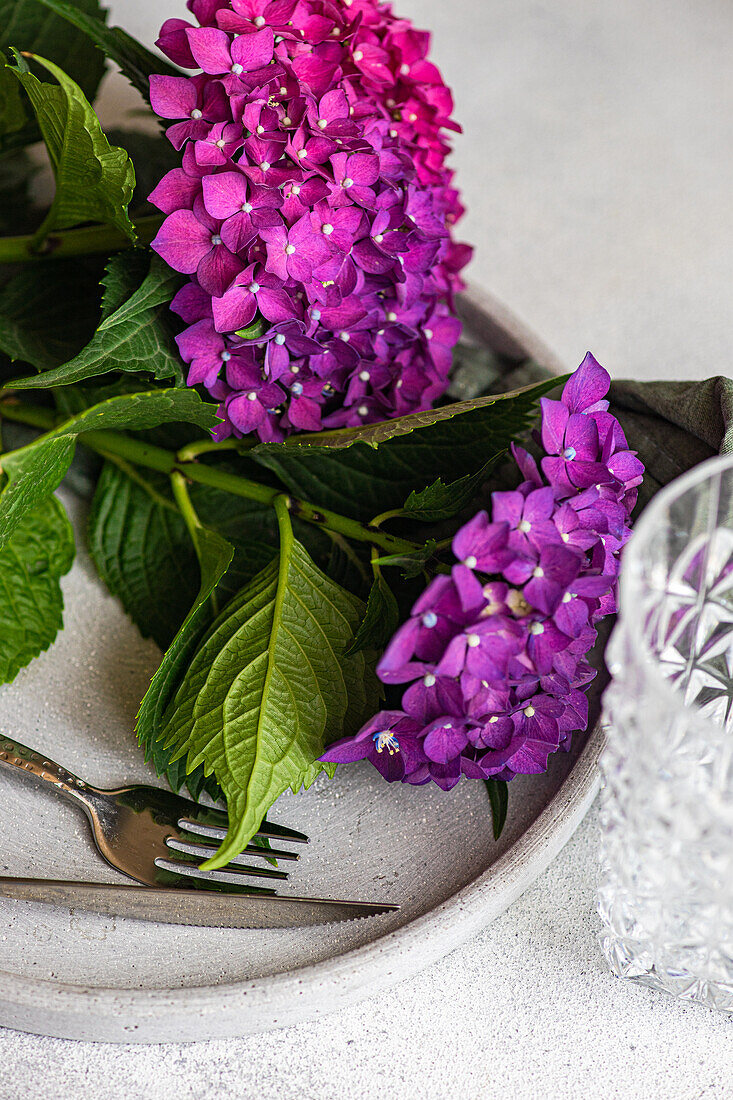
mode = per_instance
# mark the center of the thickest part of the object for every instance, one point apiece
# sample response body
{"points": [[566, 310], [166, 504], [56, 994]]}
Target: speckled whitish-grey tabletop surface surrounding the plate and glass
{"points": [[597, 170]]}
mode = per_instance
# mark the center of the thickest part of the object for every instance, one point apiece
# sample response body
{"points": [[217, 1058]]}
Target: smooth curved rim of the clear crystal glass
{"points": [[630, 584]]}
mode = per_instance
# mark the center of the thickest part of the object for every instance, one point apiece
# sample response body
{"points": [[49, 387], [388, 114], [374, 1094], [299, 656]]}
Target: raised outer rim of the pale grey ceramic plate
{"points": [[67, 1010]]}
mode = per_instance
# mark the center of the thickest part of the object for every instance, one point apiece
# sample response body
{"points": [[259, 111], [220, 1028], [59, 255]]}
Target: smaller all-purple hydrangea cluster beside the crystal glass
{"points": [[496, 654]]}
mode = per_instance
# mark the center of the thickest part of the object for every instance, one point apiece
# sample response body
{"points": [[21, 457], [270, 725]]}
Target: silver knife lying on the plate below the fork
{"points": [[174, 906]]}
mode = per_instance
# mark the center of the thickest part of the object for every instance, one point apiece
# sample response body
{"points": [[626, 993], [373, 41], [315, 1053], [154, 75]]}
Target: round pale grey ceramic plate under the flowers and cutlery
{"points": [[82, 976]]}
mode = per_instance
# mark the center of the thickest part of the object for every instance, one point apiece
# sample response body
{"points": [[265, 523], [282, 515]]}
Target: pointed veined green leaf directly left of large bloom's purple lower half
{"points": [[136, 333]]}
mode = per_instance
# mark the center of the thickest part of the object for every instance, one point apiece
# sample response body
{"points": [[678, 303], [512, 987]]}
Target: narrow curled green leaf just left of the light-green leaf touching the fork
{"points": [[214, 555]]}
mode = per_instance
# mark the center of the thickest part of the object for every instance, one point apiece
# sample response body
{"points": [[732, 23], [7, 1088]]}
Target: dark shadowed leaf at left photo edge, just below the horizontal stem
{"points": [[48, 312]]}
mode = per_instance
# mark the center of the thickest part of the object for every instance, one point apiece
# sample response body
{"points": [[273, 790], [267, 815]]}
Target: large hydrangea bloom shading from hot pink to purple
{"points": [[313, 196]]}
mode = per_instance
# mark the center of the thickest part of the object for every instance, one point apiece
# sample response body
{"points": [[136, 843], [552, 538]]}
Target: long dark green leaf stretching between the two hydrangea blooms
{"points": [[362, 479]]}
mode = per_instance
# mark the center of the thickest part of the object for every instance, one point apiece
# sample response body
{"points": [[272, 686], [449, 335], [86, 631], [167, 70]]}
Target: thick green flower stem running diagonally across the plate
{"points": [[117, 445]]}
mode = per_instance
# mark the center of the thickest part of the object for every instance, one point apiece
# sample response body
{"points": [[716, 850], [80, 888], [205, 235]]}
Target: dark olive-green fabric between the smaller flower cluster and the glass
{"points": [[674, 425]]}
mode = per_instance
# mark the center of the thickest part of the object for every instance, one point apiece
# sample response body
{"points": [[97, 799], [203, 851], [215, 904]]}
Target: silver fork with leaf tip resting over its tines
{"points": [[156, 837]]}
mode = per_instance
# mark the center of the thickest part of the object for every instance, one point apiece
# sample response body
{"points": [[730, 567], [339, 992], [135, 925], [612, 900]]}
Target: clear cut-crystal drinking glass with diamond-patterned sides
{"points": [[666, 896]]}
